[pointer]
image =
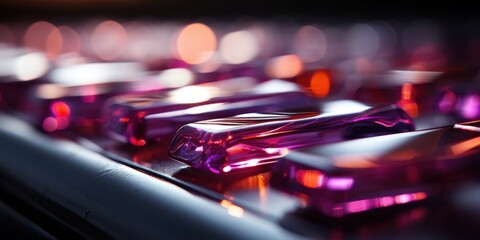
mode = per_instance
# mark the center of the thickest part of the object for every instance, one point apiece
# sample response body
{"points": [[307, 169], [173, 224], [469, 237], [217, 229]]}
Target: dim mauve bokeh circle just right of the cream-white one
{"points": [[310, 44]]}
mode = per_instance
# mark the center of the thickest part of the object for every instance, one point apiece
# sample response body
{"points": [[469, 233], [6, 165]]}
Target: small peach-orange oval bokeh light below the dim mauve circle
{"points": [[286, 66]]}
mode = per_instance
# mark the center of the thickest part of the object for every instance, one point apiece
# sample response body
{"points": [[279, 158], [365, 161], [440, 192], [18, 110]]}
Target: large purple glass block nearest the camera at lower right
{"points": [[360, 175]]}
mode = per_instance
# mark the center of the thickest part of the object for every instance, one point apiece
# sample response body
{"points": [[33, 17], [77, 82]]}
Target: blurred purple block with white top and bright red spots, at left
{"points": [[73, 95]]}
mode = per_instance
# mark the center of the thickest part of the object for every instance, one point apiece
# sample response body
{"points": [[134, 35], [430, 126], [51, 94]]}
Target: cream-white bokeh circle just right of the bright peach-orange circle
{"points": [[239, 47]]}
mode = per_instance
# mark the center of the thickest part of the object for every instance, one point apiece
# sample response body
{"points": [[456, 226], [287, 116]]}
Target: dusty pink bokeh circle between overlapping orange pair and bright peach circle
{"points": [[109, 40]]}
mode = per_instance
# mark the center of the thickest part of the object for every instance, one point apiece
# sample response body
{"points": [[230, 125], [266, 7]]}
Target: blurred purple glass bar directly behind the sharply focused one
{"points": [[137, 119]]}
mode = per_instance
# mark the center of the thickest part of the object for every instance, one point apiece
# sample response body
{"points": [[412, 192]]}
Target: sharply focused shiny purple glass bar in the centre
{"points": [[250, 140]]}
